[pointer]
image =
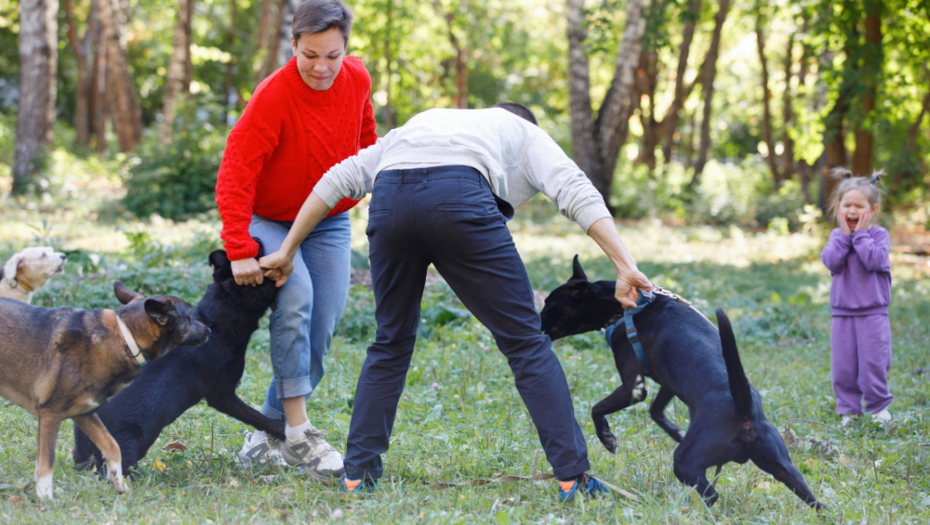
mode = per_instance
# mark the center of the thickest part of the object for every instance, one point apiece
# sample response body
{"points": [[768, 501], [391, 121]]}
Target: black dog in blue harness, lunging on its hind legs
{"points": [[687, 356]]}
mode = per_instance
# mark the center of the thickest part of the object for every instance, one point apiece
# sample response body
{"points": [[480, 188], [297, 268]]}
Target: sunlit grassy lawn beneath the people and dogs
{"points": [[461, 419]]}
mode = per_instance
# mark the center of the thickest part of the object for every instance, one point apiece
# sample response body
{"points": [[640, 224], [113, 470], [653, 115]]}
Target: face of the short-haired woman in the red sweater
{"points": [[319, 57]]}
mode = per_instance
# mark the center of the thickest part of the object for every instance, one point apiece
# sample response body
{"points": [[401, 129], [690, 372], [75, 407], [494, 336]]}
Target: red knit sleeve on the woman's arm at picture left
{"points": [[250, 144]]}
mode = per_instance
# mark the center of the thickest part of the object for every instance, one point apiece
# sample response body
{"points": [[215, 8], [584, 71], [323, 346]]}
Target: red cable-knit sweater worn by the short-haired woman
{"points": [[287, 138]]}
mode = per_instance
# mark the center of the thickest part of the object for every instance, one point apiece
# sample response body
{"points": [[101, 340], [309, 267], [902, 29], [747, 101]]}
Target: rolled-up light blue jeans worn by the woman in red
{"points": [[307, 309]]}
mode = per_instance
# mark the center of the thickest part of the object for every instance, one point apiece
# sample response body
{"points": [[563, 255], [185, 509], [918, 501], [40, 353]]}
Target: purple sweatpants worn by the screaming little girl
{"points": [[861, 357]]}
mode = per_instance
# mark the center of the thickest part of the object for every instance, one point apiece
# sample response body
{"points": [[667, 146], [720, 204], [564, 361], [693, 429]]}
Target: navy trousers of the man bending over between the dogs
{"points": [[448, 216]]}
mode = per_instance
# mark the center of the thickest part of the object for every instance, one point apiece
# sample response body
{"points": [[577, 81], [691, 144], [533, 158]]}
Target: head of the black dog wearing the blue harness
{"points": [[579, 306]]}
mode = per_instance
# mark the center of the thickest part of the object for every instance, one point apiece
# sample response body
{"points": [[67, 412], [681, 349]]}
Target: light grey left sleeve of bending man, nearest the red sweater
{"points": [[353, 177]]}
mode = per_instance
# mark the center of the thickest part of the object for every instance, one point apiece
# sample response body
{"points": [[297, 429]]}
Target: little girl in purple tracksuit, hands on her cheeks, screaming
{"points": [[860, 339]]}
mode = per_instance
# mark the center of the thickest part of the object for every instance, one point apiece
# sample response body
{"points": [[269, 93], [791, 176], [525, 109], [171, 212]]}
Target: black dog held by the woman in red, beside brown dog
{"points": [[169, 386]]}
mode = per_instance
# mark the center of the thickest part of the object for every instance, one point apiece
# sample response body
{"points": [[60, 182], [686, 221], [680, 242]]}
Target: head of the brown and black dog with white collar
{"points": [[159, 323]]}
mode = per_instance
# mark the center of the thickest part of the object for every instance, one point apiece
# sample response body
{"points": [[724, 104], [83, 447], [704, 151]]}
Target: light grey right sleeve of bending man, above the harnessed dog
{"points": [[559, 178]]}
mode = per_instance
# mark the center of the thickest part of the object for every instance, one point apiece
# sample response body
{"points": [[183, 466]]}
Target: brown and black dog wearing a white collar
{"points": [[62, 363]]}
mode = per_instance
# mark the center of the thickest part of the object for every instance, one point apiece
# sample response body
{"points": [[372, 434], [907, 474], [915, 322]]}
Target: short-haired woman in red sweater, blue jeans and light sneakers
{"points": [[303, 119]]}
